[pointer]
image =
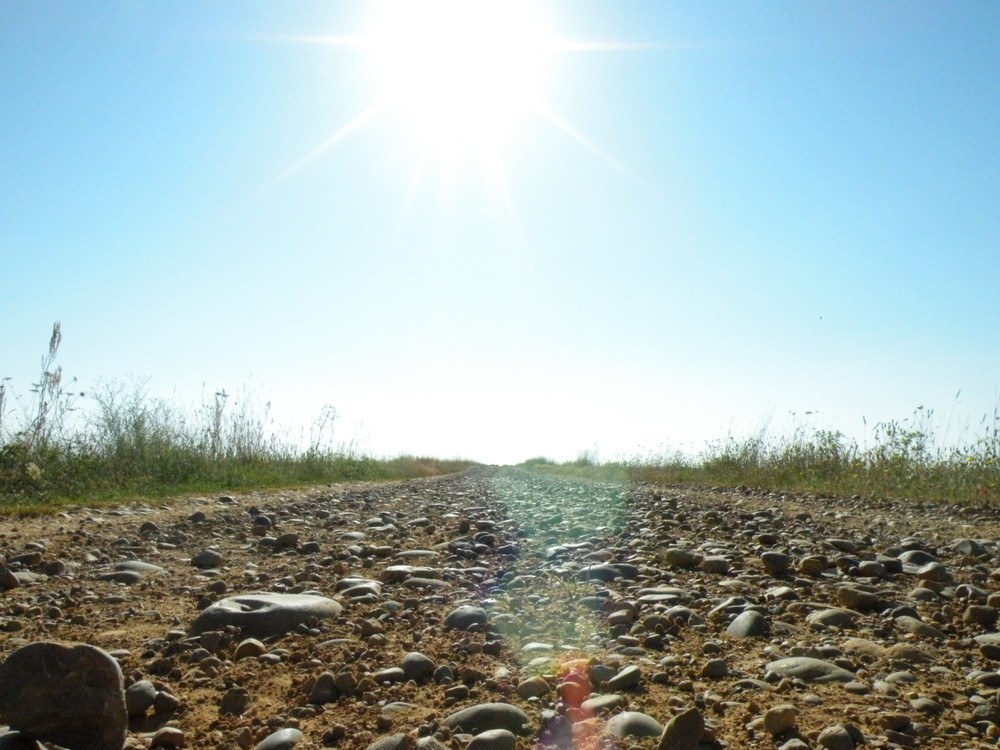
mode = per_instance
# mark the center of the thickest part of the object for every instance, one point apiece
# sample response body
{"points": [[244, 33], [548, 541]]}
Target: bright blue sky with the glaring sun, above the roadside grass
{"points": [[498, 231]]}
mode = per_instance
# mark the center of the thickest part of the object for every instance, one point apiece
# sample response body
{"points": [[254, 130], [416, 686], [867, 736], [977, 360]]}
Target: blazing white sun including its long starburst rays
{"points": [[459, 79]]}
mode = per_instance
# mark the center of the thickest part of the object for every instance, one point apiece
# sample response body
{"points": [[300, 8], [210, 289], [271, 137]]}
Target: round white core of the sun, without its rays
{"points": [[459, 75]]}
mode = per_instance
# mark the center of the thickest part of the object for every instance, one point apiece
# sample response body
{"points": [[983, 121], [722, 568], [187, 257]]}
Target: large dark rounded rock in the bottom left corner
{"points": [[72, 696]]}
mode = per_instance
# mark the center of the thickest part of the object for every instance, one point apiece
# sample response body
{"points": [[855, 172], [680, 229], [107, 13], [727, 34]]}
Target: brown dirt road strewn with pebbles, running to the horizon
{"points": [[517, 544]]}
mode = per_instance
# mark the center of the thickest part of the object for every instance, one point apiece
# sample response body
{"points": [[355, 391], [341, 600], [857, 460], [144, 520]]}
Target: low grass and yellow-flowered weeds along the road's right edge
{"points": [[905, 460]]}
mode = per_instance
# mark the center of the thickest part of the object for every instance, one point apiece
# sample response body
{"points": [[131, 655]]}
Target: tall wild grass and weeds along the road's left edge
{"points": [[59, 445]]}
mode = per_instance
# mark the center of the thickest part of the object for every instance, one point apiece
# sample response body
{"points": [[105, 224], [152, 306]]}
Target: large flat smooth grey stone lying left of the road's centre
{"points": [[262, 615]]}
